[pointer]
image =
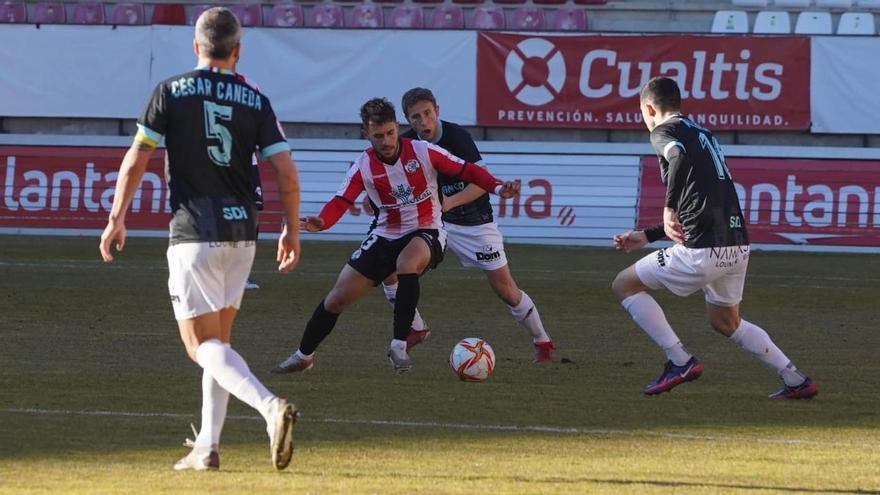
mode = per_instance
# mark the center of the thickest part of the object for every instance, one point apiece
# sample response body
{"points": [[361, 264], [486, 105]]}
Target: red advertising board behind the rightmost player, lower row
{"points": [[792, 201]]}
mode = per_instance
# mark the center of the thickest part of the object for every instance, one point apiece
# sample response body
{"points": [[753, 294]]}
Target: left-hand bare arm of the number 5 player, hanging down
{"points": [[131, 171]]}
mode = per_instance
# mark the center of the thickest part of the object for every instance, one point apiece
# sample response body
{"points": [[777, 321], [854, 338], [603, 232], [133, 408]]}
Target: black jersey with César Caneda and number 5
{"points": [[213, 121]]}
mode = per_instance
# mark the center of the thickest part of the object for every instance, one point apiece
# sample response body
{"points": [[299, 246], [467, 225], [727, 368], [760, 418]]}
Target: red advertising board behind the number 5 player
{"points": [[73, 187]]}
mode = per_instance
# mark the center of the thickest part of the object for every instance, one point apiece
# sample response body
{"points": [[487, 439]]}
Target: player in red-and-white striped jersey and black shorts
{"points": [[399, 176]]}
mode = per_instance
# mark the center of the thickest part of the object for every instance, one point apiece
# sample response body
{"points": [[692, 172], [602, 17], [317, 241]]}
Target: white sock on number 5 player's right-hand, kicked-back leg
{"points": [[231, 371]]}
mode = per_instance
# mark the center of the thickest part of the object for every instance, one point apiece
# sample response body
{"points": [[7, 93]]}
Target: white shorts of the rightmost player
{"points": [[719, 272]]}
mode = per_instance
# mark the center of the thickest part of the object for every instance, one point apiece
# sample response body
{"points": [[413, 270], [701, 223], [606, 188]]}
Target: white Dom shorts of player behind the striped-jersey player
{"points": [[477, 246]]}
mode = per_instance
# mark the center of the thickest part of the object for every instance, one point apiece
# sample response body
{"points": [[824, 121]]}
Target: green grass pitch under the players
{"points": [[96, 393]]}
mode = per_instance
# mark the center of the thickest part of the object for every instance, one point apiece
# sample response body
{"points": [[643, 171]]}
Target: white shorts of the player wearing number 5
{"points": [[204, 277]]}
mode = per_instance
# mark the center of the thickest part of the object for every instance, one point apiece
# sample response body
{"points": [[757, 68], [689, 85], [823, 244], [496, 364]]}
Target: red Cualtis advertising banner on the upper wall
{"points": [[727, 82]]}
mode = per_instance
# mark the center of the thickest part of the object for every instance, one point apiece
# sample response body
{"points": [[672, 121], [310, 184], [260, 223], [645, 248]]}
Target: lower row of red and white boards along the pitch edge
{"points": [[815, 199]]}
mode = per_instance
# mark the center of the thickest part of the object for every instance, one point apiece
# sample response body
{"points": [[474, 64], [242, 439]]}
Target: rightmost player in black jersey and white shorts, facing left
{"points": [[710, 252]]}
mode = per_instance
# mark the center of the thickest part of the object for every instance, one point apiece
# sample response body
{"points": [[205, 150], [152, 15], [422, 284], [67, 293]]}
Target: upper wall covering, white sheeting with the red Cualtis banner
{"points": [[788, 83]]}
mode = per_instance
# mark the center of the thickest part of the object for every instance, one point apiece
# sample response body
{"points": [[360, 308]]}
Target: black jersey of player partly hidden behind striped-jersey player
{"points": [[456, 140]]}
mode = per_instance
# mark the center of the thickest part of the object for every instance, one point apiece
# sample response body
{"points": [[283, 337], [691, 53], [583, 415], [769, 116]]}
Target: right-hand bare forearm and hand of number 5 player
{"points": [[288, 254]]}
